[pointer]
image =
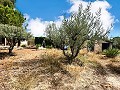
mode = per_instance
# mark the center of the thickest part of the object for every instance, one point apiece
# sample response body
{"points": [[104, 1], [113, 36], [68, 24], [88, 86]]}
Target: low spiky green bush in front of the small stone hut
{"points": [[111, 53]]}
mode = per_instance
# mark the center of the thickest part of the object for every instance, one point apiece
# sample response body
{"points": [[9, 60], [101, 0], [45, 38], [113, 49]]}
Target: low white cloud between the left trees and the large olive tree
{"points": [[37, 26]]}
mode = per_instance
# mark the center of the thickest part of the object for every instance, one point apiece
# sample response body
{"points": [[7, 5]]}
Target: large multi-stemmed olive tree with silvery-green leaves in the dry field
{"points": [[77, 29]]}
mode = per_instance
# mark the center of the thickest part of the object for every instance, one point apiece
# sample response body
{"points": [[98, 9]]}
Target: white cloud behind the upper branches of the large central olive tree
{"points": [[106, 18]]}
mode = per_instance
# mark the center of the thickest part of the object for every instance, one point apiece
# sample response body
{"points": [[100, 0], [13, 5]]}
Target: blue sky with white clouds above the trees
{"points": [[39, 13]]}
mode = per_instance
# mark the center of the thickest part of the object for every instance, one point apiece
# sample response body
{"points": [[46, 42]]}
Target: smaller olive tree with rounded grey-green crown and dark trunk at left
{"points": [[12, 34]]}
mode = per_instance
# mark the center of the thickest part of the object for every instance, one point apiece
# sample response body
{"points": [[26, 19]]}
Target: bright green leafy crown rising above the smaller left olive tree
{"points": [[9, 15]]}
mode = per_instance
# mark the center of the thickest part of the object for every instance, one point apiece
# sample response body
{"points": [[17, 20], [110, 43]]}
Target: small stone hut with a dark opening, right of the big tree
{"points": [[102, 45]]}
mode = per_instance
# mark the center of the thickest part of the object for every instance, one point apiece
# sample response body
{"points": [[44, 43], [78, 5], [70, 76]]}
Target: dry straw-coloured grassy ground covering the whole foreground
{"points": [[47, 70]]}
